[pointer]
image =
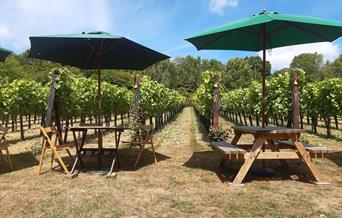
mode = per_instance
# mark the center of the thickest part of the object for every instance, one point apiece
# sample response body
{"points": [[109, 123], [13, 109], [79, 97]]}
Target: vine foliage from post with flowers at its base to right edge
{"points": [[317, 99]]}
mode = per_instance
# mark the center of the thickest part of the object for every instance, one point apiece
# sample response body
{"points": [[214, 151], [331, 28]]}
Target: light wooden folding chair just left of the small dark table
{"points": [[53, 144]]}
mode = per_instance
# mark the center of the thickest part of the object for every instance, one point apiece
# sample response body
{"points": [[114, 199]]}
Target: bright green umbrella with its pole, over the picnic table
{"points": [[267, 30]]}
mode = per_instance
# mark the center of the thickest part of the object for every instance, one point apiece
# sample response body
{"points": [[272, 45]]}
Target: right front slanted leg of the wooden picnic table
{"points": [[308, 161]]}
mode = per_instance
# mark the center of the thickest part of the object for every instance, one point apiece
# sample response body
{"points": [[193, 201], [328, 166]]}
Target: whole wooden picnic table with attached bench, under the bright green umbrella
{"points": [[265, 147]]}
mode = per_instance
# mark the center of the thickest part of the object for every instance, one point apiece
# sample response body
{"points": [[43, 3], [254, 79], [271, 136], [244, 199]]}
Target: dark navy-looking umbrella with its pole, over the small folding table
{"points": [[94, 50]]}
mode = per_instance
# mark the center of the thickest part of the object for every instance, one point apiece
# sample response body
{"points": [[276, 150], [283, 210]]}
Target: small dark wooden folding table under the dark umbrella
{"points": [[98, 152]]}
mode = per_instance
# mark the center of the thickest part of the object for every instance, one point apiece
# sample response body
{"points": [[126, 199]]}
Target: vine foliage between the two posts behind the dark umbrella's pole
{"points": [[78, 96]]}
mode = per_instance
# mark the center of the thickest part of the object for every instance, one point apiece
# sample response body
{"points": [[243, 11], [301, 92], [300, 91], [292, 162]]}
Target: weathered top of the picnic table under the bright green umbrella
{"points": [[267, 129]]}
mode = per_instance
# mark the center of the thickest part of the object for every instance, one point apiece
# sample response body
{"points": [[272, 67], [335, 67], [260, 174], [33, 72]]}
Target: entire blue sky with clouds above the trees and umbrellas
{"points": [[159, 24]]}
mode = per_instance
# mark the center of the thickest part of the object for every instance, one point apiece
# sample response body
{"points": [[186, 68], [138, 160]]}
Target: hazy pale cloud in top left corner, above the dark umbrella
{"points": [[23, 18]]}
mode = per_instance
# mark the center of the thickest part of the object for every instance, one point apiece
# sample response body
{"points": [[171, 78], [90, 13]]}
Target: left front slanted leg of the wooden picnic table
{"points": [[249, 160]]}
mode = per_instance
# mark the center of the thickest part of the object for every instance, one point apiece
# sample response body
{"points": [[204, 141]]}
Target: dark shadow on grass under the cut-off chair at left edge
{"points": [[20, 161]]}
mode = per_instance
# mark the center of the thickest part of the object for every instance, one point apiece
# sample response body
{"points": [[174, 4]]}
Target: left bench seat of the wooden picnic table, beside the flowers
{"points": [[230, 151]]}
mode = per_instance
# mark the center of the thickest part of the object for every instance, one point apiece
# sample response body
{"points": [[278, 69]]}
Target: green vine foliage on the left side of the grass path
{"points": [[78, 97]]}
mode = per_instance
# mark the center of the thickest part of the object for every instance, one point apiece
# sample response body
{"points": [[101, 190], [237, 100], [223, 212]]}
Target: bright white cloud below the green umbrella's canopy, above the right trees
{"points": [[282, 57]]}
